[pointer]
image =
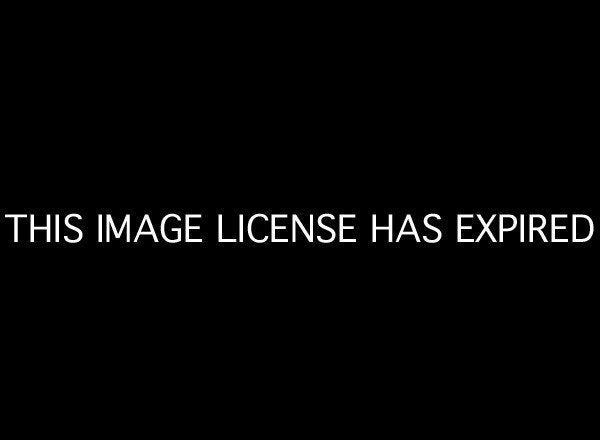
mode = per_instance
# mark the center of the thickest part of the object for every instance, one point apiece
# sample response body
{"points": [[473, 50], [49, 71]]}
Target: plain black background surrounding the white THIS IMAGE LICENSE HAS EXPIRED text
{"points": [[368, 113]]}
